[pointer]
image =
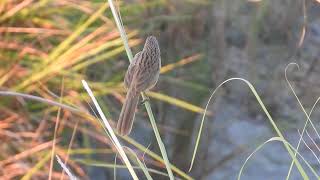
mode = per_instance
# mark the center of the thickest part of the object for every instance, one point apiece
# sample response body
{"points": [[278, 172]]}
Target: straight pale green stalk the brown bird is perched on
{"points": [[147, 104]]}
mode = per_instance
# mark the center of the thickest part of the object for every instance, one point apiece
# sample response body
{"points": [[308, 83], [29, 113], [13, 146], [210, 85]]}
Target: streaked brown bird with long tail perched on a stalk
{"points": [[142, 75]]}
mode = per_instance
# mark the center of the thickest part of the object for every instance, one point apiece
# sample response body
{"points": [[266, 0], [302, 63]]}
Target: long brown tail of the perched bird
{"points": [[126, 117]]}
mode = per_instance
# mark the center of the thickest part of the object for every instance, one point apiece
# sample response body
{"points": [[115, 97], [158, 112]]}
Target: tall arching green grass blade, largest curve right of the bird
{"points": [[275, 127]]}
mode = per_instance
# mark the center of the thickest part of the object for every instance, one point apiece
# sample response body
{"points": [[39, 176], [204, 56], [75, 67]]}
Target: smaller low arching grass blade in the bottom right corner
{"points": [[270, 140]]}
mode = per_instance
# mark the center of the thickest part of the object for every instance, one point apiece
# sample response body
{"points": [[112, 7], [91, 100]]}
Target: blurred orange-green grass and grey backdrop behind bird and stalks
{"points": [[48, 46]]}
